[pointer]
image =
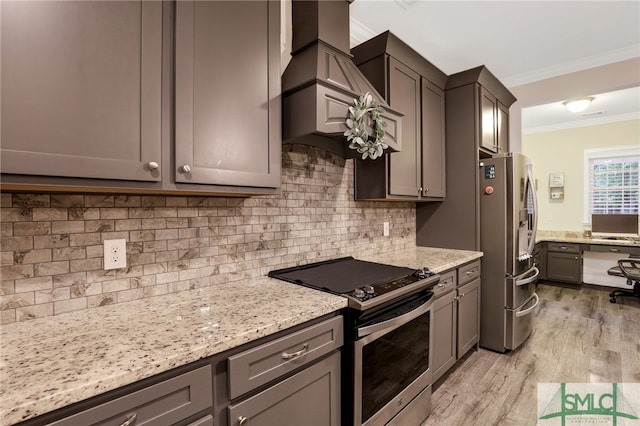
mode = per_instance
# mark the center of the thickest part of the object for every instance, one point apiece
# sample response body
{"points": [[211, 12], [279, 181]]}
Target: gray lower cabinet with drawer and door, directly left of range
{"points": [[290, 381]]}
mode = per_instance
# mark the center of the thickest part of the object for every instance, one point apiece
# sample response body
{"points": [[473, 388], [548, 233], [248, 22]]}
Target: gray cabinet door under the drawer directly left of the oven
{"points": [[310, 398]]}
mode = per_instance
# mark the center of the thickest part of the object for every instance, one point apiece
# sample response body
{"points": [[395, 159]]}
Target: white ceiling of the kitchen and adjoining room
{"points": [[520, 42]]}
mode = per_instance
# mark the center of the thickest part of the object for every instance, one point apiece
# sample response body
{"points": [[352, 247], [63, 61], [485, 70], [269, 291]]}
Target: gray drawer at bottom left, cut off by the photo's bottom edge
{"points": [[164, 403]]}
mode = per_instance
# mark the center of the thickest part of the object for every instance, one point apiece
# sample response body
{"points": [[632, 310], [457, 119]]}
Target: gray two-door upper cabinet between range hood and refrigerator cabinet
{"points": [[413, 86]]}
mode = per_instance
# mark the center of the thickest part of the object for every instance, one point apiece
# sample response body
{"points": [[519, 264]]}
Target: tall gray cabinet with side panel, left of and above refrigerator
{"points": [[476, 126]]}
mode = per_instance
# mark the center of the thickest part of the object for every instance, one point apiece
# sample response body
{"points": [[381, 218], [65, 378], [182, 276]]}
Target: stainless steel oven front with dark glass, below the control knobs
{"points": [[391, 364]]}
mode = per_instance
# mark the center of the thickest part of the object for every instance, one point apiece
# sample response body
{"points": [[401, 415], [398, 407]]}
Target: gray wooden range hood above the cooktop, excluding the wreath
{"points": [[321, 81]]}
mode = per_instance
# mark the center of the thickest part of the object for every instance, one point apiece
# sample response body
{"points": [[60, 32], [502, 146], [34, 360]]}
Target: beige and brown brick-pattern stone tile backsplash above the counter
{"points": [[51, 244]]}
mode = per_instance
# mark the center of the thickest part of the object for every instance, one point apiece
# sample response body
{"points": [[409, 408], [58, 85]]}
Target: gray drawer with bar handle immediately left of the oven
{"points": [[260, 365]]}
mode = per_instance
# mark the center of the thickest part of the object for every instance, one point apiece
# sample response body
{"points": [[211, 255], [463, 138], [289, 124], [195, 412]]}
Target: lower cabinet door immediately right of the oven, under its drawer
{"points": [[443, 349]]}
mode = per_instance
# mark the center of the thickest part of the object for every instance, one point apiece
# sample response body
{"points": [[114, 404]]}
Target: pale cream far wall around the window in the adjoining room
{"points": [[563, 151]]}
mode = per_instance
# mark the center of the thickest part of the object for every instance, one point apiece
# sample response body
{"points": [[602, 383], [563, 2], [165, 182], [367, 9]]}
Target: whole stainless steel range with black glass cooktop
{"points": [[387, 376]]}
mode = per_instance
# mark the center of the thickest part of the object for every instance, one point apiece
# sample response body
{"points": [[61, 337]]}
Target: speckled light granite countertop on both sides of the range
{"points": [[51, 362]]}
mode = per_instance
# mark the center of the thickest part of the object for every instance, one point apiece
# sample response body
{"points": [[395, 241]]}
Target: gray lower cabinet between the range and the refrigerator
{"points": [[456, 317]]}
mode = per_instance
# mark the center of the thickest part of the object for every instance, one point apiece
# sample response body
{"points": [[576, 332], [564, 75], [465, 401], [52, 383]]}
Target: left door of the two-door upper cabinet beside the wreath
{"points": [[404, 95]]}
